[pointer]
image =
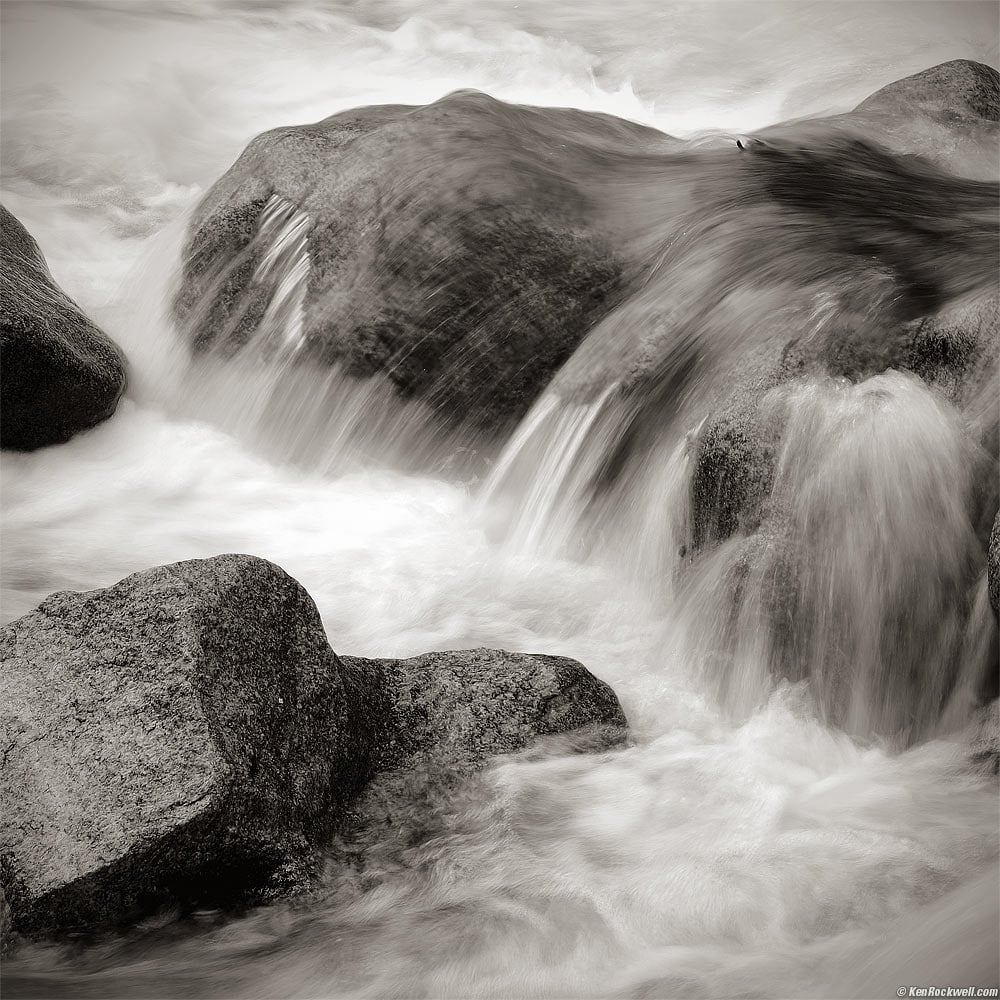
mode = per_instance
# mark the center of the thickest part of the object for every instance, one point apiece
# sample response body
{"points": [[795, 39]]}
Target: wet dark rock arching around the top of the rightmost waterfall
{"points": [[955, 350]]}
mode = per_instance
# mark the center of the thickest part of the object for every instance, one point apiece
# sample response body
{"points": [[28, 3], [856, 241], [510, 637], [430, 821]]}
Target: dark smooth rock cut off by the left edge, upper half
{"points": [[59, 374]]}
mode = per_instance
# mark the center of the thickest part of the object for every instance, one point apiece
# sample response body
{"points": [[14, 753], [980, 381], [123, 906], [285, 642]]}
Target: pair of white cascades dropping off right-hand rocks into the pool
{"points": [[860, 580]]}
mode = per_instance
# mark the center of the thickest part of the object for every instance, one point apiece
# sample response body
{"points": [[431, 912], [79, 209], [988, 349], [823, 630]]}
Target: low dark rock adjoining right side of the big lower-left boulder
{"points": [[451, 713]]}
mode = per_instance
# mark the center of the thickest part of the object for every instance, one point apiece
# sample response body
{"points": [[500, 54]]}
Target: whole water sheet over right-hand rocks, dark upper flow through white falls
{"points": [[858, 582]]}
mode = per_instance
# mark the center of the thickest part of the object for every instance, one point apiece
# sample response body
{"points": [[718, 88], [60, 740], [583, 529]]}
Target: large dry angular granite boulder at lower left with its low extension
{"points": [[187, 736]]}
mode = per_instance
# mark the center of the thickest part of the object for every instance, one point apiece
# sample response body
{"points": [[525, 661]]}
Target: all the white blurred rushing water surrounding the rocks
{"points": [[805, 838]]}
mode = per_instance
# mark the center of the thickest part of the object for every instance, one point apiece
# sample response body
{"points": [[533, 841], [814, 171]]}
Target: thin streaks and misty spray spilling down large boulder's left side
{"points": [[253, 375]]}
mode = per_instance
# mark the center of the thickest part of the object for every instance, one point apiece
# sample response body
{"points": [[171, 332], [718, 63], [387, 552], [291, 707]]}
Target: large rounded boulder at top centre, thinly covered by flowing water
{"points": [[462, 249]]}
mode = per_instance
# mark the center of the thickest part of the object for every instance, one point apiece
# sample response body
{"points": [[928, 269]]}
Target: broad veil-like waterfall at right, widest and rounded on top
{"points": [[860, 579]]}
